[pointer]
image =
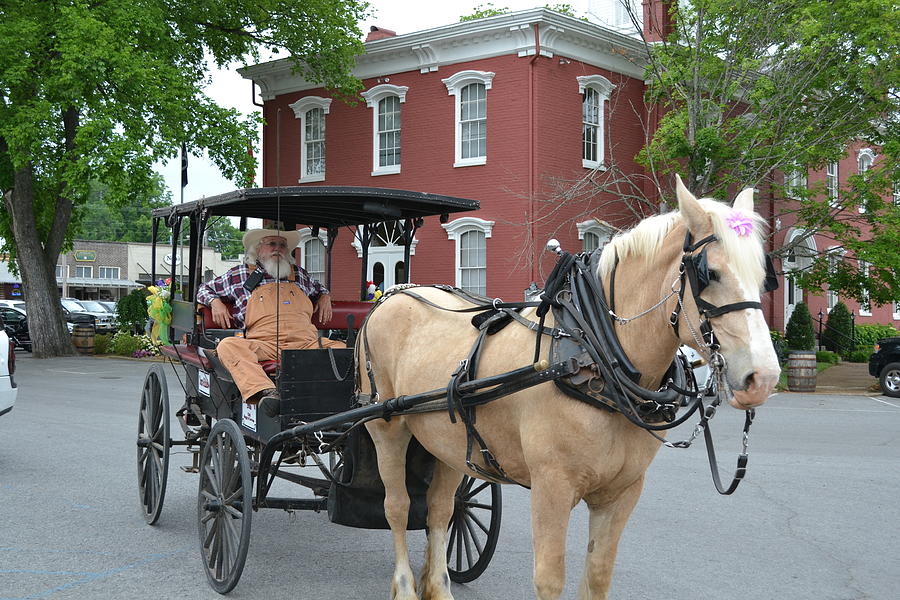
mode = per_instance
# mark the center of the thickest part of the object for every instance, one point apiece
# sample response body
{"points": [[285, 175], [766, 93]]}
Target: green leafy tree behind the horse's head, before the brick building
{"points": [[745, 91]]}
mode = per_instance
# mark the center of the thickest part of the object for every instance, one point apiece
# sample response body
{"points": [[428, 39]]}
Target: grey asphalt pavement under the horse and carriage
{"points": [[816, 517]]}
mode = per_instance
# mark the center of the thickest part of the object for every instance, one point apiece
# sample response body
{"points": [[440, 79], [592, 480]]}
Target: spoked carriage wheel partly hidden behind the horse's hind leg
{"points": [[474, 529]]}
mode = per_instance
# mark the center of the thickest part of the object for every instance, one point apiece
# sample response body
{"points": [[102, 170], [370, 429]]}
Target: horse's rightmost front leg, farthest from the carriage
{"points": [[606, 522]]}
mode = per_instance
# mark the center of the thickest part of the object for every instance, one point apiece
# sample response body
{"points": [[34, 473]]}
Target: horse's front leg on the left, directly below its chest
{"points": [[552, 500]]}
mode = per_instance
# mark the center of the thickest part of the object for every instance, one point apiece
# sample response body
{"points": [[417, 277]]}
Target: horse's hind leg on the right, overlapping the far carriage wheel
{"points": [[441, 495]]}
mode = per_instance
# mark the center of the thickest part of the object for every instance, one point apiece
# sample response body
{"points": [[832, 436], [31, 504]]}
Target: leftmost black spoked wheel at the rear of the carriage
{"points": [[153, 443]]}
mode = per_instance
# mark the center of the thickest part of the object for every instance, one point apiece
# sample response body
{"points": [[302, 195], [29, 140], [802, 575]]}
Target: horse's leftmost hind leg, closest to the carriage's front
{"points": [[391, 440]]}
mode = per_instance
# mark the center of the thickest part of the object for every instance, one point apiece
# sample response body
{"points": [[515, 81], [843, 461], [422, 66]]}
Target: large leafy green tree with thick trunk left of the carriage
{"points": [[100, 91]]}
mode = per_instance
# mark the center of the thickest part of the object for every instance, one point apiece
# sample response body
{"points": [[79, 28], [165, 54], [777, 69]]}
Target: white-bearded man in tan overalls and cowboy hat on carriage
{"points": [[274, 300]]}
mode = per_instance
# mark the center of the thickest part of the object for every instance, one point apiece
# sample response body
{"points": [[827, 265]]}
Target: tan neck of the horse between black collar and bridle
{"points": [[649, 341]]}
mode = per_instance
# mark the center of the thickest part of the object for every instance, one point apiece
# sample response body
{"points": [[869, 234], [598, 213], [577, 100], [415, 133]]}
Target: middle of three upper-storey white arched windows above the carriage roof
{"points": [[385, 99]]}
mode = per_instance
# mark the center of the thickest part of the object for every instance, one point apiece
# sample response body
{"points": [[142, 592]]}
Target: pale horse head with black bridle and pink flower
{"points": [[725, 268]]}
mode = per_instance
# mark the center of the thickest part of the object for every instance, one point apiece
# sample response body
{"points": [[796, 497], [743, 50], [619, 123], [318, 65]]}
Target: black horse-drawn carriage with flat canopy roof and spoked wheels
{"points": [[239, 450]]}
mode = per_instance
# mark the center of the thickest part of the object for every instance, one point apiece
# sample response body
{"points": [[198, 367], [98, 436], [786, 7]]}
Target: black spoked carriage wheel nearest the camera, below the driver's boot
{"points": [[224, 505]]}
